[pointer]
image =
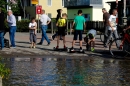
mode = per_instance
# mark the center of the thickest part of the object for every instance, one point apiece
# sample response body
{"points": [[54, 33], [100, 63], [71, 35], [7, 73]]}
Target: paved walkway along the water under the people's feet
{"points": [[22, 47]]}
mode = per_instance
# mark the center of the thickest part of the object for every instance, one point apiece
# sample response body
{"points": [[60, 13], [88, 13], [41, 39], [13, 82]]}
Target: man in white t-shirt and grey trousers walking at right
{"points": [[112, 30]]}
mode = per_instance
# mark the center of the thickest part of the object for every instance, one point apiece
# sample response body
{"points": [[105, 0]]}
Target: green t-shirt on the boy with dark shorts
{"points": [[79, 22]]}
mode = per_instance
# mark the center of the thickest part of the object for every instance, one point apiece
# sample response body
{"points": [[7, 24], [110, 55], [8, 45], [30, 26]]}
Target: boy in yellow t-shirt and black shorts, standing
{"points": [[61, 24]]}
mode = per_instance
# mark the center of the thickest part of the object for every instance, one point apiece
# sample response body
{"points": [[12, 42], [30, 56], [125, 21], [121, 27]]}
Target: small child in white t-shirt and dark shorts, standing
{"points": [[33, 31]]}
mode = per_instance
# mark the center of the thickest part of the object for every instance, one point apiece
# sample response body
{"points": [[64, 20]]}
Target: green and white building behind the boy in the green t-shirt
{"points": [[92, 9]]}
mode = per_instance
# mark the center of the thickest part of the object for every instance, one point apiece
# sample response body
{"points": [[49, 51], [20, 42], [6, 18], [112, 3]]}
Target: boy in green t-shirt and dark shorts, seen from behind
{"points": [[78, 24]]}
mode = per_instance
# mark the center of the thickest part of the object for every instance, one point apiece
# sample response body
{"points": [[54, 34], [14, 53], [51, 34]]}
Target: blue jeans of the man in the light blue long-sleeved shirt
{"points": [[12, 35]]}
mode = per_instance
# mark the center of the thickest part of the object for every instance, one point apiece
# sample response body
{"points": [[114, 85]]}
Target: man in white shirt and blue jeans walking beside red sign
{"points": [[45, 20]]}
